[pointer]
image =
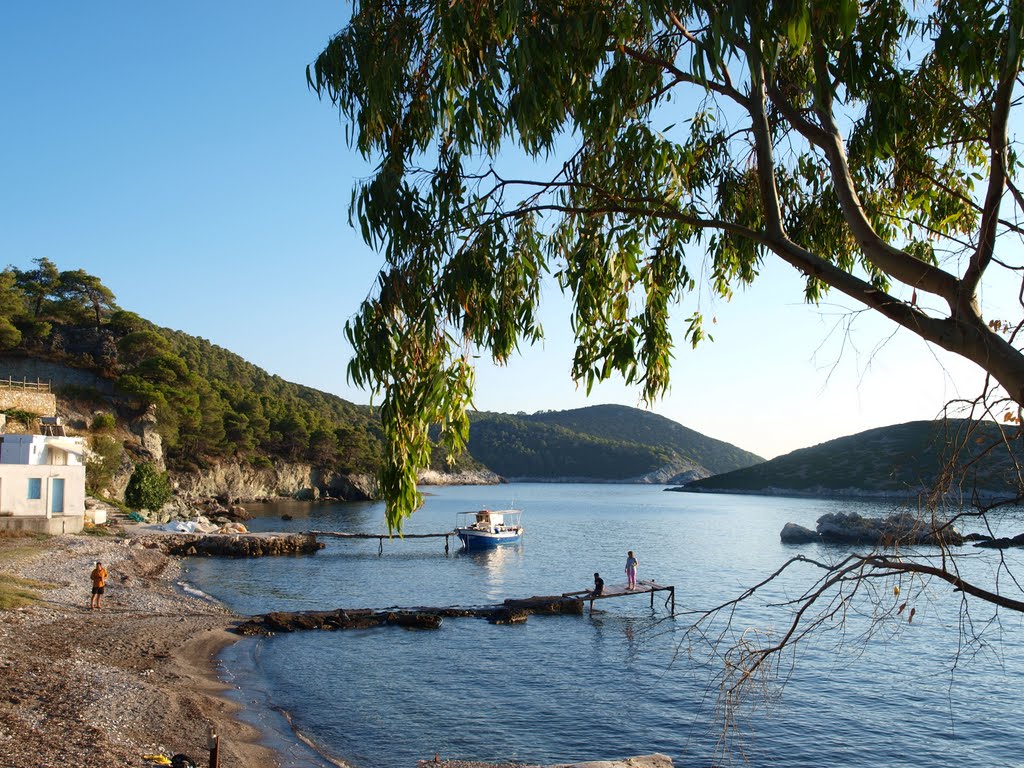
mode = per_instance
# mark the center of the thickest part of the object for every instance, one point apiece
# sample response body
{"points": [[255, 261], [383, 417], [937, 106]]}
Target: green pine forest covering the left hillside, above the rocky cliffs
{"points": [[209, 404]]}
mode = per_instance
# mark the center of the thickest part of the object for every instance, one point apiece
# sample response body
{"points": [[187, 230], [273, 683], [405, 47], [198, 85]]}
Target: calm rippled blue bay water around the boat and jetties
{"points": [[621, 681]]}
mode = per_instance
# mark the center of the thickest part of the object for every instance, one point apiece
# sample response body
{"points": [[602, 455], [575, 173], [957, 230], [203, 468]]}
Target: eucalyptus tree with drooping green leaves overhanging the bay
{"points": [[633, 149]]}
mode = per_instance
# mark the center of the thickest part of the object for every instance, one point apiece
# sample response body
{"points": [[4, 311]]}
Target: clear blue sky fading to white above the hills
{"points": [[175, 151]]}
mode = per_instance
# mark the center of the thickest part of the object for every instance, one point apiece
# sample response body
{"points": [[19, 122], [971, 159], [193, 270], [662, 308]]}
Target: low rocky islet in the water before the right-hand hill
{"points": [[901, 529]]}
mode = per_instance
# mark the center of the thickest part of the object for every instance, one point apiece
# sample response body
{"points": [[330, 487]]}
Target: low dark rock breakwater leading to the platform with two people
{"points": [[510, 612]]}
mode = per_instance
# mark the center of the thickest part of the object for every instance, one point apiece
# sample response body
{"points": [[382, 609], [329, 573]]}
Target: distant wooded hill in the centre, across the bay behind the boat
{"points": [[601, 443]]}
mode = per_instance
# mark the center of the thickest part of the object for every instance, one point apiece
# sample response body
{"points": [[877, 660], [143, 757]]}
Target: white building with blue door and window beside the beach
{"points": [[42, 484]]}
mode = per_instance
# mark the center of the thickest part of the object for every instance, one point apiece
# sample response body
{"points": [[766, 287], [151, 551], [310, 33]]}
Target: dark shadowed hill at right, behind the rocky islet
{"points": [[900, 460]]}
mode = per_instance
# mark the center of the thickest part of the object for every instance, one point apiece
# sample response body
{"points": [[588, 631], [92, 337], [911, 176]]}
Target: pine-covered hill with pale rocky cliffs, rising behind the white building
{"points": [[145, 394]]}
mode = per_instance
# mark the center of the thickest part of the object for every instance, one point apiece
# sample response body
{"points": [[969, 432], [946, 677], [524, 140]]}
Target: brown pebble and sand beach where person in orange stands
{"points": [[107, 688]]}
